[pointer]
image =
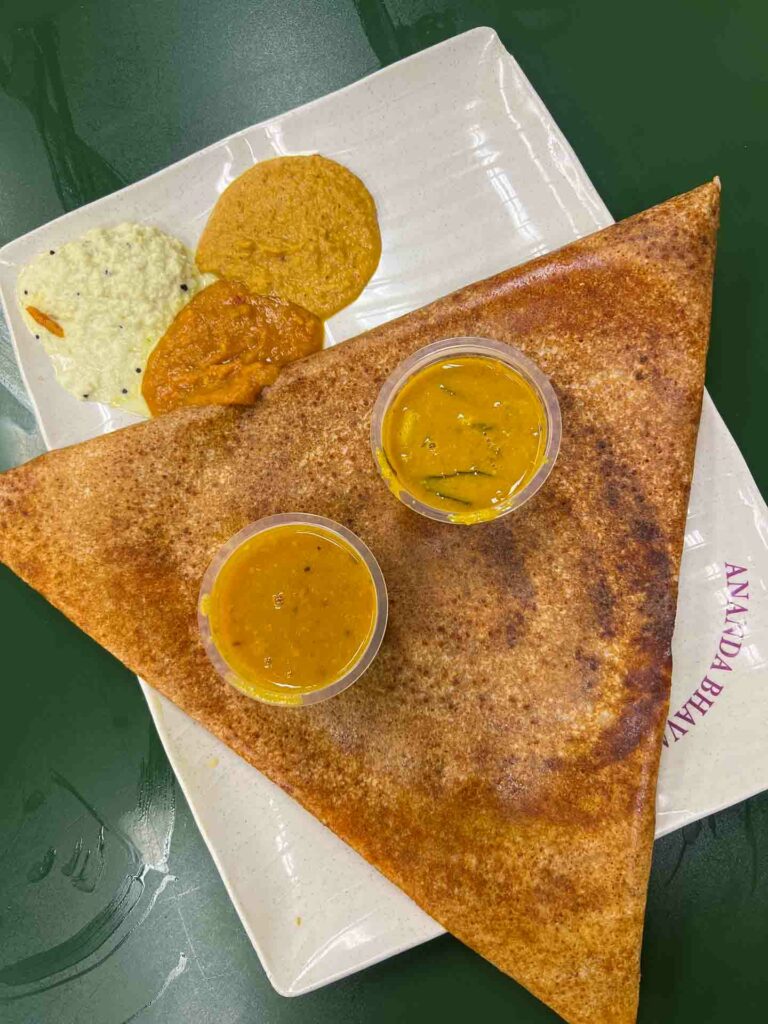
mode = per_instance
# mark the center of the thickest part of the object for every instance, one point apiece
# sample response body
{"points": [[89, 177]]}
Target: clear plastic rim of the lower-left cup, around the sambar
{"points": [[369, 653]]}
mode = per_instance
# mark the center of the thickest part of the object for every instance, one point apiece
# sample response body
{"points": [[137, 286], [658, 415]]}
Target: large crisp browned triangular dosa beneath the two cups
{"points": [[499, 761]]}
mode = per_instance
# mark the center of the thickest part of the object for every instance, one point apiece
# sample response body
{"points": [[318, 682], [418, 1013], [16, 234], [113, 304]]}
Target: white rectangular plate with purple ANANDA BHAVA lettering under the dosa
{"points": [[471, 176]]}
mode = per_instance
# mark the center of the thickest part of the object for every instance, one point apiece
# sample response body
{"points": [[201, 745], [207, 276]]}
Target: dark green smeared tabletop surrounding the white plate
{"points": [[655, 98]]}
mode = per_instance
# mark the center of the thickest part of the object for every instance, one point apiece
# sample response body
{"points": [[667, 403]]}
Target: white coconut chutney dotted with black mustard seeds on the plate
{"points": [[114, 292]]}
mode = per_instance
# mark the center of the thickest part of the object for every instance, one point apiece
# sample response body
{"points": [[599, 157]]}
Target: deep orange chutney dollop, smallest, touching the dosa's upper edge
{"points": [[225, 347]]}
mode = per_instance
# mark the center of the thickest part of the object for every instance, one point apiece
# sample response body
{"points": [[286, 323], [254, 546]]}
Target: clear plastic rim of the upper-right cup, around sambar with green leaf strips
{"points": [[436, 353]]}
